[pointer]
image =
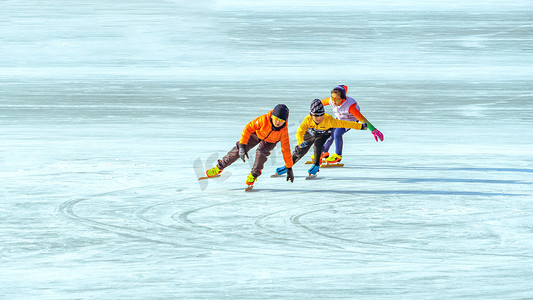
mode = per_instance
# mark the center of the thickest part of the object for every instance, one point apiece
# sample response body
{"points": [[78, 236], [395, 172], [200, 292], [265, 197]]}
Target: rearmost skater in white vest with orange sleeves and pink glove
{"points": [[345, 108]]}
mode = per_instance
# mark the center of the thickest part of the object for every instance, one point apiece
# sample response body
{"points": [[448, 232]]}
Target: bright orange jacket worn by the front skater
{"points": [[262, 127]]}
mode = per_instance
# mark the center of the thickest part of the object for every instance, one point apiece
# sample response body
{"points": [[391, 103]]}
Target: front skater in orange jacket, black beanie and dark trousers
{"points": [[266, 131]]}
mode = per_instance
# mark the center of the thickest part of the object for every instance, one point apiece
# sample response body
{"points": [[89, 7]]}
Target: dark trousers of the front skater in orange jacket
{"points": [[261, 154]]}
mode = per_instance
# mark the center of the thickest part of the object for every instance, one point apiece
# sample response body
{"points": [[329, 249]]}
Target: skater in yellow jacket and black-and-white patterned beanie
{"points": [[315, 129]]}
